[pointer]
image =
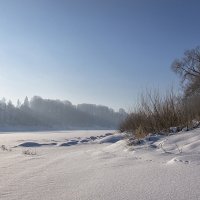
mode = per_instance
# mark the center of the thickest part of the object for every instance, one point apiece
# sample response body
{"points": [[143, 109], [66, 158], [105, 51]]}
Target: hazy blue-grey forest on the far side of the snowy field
{"points": [[46, 114]]}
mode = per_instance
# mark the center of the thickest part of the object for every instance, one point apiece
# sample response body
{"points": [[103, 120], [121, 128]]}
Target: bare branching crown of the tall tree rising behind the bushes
{"points": [[188, 68]]}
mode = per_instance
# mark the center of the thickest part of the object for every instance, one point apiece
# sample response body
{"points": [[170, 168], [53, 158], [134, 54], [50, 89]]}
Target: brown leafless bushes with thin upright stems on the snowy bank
{"points": [[156, 113]]}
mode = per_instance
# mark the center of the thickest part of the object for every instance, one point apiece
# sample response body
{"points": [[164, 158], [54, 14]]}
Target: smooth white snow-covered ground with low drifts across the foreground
{"points": [[94, 165]]}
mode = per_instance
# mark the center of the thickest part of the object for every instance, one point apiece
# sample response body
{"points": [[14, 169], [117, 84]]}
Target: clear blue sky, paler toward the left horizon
{"points": [[94, 51]]}
